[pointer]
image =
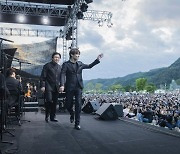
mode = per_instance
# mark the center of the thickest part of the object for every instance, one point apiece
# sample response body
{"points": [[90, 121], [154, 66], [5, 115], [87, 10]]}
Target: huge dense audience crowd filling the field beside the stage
{"points": [[158, 109]]}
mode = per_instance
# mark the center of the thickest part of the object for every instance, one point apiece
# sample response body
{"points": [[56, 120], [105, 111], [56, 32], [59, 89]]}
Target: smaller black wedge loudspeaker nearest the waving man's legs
{"points": [[91, 106]]}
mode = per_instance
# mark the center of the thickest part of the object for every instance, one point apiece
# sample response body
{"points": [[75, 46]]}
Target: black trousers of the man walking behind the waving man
{"points": [[51, 99]]}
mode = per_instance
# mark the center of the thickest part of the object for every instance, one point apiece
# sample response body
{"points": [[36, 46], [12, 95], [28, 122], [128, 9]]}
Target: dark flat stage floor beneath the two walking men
{"points": [[96, 136]]}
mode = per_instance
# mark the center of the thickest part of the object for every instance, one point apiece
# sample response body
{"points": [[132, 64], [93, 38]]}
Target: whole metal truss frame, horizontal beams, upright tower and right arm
{"points": [[69, 14]]}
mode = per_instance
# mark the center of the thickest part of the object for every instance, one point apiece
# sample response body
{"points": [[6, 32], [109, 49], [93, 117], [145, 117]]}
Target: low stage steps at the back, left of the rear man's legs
{"points": [[30, 107]]}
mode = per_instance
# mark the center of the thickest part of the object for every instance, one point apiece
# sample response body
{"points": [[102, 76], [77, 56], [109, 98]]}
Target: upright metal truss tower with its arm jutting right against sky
{"points": [[72, 22]]}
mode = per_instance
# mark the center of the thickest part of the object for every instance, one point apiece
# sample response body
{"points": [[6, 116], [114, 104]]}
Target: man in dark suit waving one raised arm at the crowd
{"points": [[72, 82]]}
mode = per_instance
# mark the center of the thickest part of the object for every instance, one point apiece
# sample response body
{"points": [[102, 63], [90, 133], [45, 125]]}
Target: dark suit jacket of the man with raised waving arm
{"points": [[70, 76]]}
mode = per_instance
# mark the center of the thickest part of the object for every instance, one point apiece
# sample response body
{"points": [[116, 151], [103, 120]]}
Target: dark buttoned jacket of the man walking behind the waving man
{"points": [[50, 76]]}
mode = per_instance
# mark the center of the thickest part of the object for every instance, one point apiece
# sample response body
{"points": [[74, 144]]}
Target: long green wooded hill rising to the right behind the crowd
{"points": [[157, 76]]}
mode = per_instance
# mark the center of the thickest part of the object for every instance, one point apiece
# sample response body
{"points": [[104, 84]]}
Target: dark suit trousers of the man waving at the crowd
{"points": [[70, 95]]}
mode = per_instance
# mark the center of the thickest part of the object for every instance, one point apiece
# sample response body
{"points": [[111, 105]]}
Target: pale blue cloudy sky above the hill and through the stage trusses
{"points": [[145, 35]]}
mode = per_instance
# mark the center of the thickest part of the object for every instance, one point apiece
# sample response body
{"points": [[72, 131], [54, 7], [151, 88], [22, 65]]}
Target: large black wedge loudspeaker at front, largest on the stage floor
{"points": [[107, 112]]}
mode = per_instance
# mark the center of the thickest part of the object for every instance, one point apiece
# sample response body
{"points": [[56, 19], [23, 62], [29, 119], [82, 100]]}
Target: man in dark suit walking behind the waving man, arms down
{"points": [[50, 82]]}
